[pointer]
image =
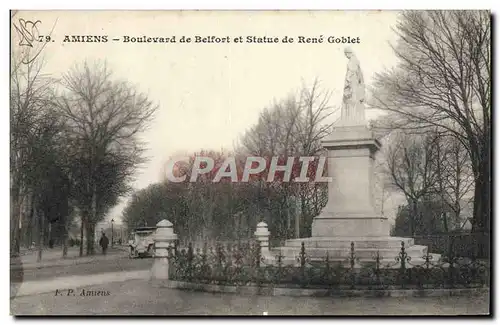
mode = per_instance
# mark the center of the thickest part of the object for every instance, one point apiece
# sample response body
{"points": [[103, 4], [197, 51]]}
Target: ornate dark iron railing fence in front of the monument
{"points": [[243, 264]]}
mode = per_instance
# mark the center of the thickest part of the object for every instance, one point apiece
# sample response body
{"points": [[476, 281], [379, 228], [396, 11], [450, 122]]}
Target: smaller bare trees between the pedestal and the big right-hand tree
{"points": [[434, 173]]}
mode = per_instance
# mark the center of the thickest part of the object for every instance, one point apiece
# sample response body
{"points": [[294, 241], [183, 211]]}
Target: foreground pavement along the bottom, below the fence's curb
{"points": [[139, 297]]}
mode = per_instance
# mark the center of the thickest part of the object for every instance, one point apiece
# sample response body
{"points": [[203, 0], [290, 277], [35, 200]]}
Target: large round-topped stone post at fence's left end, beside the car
{"points": [[164, 239]]}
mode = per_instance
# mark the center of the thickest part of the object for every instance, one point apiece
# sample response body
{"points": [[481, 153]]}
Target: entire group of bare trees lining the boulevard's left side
{"points": [[74, 147]]}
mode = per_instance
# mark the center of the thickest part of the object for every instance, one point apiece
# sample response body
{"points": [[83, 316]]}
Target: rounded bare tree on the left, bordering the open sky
{"points": [[103, 118]]}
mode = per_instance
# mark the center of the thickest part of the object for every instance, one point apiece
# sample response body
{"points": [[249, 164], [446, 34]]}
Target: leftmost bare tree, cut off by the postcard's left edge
{"points": [[30, 95]]}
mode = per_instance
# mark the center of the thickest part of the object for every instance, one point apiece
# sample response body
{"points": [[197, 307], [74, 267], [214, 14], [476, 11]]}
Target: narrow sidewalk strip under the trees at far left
{"points": [[52, 258]]}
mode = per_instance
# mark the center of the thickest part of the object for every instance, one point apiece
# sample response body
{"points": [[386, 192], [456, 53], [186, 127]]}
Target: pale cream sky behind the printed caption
{"points": [[209, 94]]}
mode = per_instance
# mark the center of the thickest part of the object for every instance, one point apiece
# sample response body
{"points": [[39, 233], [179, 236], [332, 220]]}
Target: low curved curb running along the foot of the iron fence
{"points": [[298, 292]]}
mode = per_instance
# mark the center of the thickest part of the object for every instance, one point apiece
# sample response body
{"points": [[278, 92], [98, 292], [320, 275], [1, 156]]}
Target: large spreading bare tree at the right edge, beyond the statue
{"points": [[444, 80]]}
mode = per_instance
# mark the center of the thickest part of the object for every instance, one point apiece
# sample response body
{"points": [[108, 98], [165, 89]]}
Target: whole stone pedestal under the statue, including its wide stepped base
{"points": [[350, 215]]}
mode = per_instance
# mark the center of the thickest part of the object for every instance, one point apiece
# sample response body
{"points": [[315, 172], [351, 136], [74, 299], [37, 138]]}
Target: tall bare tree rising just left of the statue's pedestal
{"points": [[294, 127]]}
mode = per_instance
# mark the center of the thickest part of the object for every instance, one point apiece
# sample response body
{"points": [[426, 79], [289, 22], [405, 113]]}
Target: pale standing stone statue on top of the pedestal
{"points": [[353, 107]]}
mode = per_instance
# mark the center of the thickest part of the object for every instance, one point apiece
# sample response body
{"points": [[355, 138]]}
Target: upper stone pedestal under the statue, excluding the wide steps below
{"points": [[350, 209]]}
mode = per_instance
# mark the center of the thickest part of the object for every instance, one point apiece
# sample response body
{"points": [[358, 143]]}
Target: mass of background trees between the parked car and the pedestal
{"points": [[205, 210]]}
